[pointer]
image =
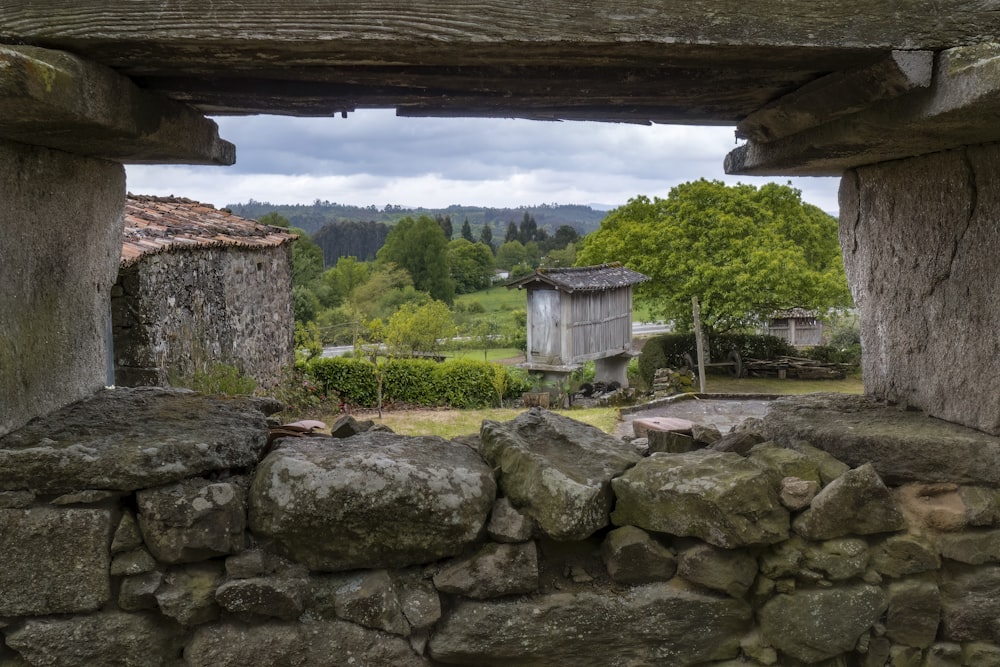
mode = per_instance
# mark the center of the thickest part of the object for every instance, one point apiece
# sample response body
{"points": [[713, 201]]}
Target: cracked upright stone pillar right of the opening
{"points": [[921, 243]]}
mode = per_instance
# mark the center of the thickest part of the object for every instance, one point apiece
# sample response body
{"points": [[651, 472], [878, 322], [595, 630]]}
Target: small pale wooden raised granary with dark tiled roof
{"points": [[577, 315]]}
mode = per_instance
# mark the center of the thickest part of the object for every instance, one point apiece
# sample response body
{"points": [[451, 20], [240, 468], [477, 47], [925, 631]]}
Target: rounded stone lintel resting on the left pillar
{"points": [[57, 100]]}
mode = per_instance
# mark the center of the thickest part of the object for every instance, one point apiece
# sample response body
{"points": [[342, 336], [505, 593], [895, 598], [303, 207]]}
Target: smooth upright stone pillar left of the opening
{"points": [[60, 245]]}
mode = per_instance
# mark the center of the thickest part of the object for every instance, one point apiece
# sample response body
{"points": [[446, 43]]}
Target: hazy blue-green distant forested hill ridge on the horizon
{"points": [[312, 217]]}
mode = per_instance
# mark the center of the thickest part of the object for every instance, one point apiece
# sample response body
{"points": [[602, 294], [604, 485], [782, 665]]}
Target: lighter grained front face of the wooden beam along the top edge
{"points": [[340, 24]]}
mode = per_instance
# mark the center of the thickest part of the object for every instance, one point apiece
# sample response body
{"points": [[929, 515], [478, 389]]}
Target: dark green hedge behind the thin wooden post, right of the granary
{"points": [[667, 350]]}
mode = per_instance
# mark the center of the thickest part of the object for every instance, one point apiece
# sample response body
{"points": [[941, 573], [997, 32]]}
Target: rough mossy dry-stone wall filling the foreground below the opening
{"points": [[157, 527]]}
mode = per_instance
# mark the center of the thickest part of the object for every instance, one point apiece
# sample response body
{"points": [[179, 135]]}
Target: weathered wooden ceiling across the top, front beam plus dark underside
{"points": [[642, 60]]}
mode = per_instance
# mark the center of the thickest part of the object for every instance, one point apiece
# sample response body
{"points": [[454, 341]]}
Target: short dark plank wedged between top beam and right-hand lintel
{"points": [[839, 94]]}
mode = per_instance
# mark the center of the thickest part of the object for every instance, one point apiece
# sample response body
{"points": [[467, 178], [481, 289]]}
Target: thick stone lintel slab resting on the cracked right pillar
{"points": [[959, 108]]}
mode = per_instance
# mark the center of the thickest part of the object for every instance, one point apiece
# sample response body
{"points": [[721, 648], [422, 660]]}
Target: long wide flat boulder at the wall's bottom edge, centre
{"points": [[651, 624]]}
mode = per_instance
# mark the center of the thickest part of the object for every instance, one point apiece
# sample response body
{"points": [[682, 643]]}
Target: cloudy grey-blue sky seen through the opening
{"points": [[374, 157]]}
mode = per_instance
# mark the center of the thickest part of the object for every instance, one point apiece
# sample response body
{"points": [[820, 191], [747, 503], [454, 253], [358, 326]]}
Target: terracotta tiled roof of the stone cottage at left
{"points": [[157, 224]]}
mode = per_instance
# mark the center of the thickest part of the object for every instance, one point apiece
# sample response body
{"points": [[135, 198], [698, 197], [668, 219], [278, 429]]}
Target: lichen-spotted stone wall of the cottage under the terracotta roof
{"points": [[180, 311]]}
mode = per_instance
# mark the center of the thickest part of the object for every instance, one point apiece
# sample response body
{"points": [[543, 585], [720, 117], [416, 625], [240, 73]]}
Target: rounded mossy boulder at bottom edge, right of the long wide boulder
{"points": [[818, 624]]}
